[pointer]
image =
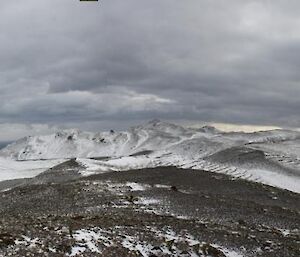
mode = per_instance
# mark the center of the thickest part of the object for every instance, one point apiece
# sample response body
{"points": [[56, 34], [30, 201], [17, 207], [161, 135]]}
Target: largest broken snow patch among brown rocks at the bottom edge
{"points": [[95, 240]]}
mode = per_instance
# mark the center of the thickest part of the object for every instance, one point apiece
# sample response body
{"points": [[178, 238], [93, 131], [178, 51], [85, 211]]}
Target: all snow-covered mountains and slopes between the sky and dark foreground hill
{"points": [[269, 157]]}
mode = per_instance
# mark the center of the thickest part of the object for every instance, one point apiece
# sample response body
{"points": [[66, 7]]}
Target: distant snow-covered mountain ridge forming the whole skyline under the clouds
{"points": [[70, 143]]}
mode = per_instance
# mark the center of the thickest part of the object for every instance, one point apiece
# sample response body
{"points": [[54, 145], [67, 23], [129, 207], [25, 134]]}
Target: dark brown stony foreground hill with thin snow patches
{"points": [[162, 211]]}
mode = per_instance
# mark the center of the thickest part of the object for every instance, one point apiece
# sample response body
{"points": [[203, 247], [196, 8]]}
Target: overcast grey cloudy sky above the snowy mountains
{"points": [[115, 63]]}
